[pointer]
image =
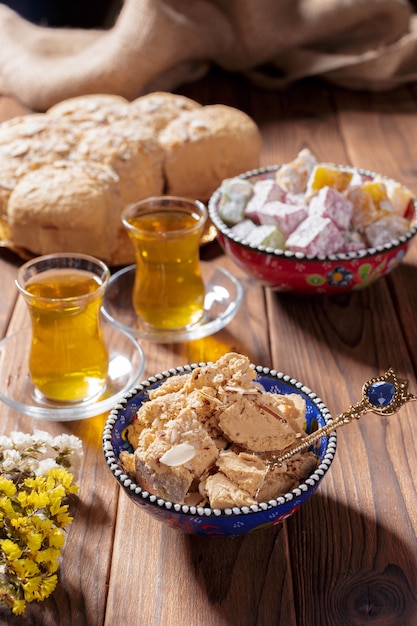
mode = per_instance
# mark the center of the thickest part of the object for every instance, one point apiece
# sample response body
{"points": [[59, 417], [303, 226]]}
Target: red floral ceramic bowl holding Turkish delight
{"points": [[295, 272]]}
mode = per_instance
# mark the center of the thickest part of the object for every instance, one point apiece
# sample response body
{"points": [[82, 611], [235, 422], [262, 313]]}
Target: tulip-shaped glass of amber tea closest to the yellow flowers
{"points": [[68, 360]]}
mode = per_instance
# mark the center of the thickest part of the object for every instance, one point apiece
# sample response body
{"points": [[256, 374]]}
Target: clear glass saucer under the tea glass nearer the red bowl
{"points": [[223, 298]]}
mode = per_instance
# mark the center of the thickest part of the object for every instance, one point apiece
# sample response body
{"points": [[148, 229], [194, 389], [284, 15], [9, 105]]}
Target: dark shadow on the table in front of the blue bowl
{"points": [[349, 582]]}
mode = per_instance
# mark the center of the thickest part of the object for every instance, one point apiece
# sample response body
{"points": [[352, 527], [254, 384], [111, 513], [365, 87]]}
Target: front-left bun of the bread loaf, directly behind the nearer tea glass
{"points": [[78, 216]]}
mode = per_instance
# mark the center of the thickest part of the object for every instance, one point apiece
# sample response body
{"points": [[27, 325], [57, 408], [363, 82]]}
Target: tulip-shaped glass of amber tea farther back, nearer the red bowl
{"points": [[168, 291]]}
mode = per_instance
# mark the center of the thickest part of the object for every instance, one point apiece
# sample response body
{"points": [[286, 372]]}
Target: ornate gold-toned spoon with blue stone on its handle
{"points": [[384, 395]]}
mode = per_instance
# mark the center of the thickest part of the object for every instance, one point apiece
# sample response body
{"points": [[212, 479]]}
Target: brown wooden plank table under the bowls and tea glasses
{"points": [[349, 557]]}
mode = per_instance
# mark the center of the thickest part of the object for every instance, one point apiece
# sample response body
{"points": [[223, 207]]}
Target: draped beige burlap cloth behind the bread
{"points": [[161, 44]]}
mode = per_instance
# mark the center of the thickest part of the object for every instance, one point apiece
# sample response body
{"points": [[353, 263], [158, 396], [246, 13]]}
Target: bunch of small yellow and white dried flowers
{"points": [[37, 474]]}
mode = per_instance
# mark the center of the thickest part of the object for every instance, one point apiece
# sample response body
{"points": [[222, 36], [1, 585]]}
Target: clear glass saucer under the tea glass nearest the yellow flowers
{"points": [[126, 366]]}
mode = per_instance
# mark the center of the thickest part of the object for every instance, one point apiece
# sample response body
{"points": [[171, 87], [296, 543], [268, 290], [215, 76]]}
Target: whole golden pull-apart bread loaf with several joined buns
{"points": [[66, 175]]}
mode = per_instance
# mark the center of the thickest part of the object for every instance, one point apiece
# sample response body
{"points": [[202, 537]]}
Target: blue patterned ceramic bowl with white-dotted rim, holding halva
{"points": [[204, 520]]}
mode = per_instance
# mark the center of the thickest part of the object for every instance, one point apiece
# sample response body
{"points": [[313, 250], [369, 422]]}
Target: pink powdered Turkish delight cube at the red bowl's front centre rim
{"points": [[316, 236]]}
